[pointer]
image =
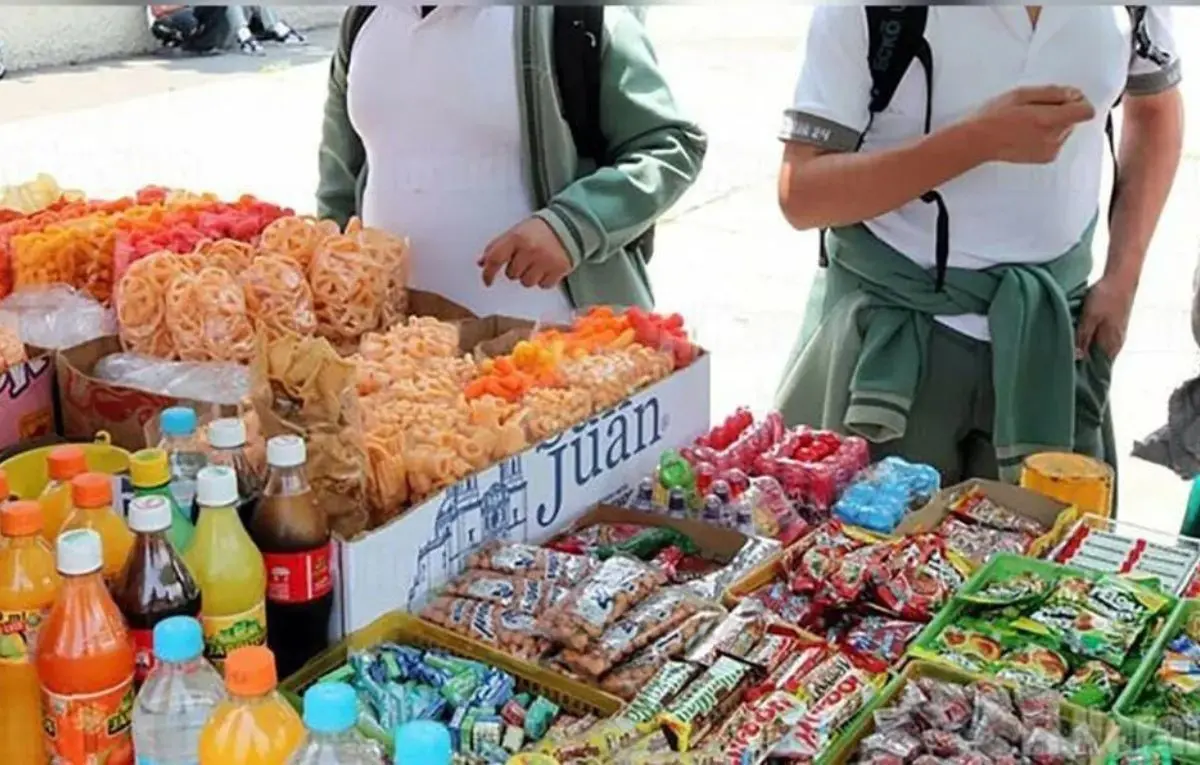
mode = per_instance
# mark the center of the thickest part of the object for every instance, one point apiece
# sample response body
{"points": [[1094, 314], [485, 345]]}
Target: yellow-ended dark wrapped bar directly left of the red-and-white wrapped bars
{"points": [[706, 701]]}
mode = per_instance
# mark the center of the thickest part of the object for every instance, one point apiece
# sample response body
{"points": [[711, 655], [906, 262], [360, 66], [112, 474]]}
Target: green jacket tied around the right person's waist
{"points": [[861, 368]]}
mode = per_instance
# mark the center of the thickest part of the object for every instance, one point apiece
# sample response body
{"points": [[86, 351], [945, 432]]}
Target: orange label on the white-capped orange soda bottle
{"points": [[91, 728]]}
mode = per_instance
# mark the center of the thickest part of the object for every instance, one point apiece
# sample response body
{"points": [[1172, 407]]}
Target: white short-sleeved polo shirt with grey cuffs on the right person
{"points": [[1000, 213]]}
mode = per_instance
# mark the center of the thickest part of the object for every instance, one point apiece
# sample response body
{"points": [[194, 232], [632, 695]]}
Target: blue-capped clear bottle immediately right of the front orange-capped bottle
{"points": [[331, 712]]}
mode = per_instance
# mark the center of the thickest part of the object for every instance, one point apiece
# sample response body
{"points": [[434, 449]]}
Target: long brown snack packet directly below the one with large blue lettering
{"points": [[655, 617]]}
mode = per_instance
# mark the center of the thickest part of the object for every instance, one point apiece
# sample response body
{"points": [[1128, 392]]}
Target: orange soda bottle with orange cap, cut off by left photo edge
{"points": [[29, 585]]}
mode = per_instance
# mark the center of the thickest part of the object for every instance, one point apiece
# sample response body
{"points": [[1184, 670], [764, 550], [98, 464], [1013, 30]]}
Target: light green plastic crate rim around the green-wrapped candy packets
{"points": [[1007, 565]]}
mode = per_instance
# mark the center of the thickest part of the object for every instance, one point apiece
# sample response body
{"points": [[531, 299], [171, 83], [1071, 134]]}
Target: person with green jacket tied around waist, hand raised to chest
{"points": [[956, 156]]}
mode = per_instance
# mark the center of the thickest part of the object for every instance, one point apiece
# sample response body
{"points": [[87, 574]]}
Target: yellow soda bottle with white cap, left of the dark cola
{"points": [[227, 568]]}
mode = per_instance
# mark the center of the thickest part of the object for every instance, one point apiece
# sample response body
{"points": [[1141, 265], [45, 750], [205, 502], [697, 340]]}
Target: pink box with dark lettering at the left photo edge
{"points": [[27, 401]]}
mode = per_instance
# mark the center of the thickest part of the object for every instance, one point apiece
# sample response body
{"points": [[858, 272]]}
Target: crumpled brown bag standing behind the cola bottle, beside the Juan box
{"points": [[302, 387]]}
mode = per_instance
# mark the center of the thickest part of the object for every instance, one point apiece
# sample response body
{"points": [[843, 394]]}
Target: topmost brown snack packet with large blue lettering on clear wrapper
{"points": [[610, 592]]}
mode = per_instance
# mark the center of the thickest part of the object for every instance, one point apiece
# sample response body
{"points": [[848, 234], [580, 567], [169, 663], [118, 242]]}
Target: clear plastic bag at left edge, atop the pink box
{"points": [[57, 317]]}
